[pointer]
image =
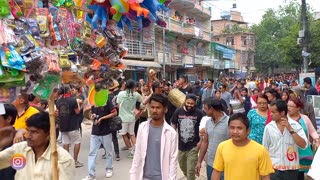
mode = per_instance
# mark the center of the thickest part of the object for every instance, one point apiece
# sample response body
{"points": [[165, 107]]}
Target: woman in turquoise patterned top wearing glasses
{"points": [[258, 118]]}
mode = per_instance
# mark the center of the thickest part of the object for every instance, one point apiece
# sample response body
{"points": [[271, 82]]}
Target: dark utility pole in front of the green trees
{"points": [[305, 32]]}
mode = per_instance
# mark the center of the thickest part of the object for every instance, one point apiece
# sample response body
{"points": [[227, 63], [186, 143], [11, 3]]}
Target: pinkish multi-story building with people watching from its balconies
{"points": [[183, 47]]}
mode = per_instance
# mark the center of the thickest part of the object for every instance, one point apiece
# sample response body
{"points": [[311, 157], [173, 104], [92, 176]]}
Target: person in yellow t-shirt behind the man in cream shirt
{"points": [[24, 110]]}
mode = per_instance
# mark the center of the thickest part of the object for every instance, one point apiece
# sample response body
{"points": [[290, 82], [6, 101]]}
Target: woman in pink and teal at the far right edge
{"points": [[294, 106]]}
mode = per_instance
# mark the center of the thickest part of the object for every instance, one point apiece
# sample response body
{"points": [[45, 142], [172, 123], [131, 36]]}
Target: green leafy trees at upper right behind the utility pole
{"points": [[276, 38]]}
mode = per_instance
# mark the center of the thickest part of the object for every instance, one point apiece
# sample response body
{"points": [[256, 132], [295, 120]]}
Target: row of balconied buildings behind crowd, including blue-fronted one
{"points": [[183, 47]]}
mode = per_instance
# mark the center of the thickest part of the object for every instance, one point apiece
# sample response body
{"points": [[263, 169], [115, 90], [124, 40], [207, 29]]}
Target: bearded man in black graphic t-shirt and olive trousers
{"points": [[187, 120]]}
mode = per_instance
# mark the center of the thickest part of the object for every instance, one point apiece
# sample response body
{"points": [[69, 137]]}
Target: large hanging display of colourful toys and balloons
{"points": [[69, 42]]}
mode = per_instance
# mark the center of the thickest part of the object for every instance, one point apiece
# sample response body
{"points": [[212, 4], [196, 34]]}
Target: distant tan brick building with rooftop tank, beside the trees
{"points": [[231, 30]]}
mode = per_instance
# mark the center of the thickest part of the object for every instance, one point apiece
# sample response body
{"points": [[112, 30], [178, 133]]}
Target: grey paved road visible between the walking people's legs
{"points": [[121, 168]]}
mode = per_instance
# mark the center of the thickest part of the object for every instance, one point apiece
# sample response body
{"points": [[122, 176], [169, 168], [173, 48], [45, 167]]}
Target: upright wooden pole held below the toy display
{"points": [[53, 140]]}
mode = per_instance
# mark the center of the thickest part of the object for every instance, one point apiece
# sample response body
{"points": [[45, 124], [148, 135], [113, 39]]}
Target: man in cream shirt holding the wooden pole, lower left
{"points": [[34, 160]]}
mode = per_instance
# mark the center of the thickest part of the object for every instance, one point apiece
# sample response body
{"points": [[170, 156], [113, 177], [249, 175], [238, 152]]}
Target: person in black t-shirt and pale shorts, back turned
{"points": [[68, 109]]}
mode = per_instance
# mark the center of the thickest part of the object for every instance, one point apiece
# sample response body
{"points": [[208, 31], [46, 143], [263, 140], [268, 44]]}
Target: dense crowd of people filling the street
{"points": [[242, 128]]}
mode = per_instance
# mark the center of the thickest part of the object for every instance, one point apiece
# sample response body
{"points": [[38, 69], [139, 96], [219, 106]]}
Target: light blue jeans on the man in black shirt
{"points": [[95, 143]]}
